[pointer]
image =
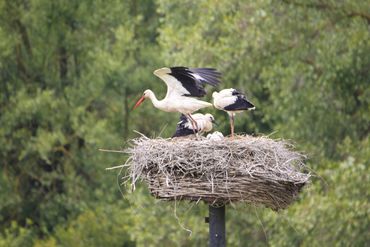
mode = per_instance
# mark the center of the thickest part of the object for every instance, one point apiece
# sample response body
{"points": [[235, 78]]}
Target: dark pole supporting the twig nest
{"points": [[217, 233]]}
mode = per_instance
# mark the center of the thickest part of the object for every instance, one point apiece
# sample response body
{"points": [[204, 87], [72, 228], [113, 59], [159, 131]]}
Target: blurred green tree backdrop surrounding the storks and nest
{"points": [[70, 72]]}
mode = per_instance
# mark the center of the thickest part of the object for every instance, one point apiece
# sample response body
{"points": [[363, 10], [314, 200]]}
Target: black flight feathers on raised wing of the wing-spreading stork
{"points": [[194, 79]]}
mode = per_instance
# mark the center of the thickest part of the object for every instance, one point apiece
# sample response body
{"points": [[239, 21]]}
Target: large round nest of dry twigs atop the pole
{"points": [[256, 170]]}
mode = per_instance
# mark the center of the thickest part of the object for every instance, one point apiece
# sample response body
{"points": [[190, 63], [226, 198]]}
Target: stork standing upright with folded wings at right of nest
{"points": [[231, 101]]}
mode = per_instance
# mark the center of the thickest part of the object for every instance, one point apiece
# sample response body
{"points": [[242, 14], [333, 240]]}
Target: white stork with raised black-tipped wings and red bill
{"points": [[183, 86]]}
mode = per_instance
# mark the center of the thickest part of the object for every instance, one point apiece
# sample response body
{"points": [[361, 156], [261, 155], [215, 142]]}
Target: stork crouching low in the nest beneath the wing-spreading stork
{"points": [[204, 124]]}
